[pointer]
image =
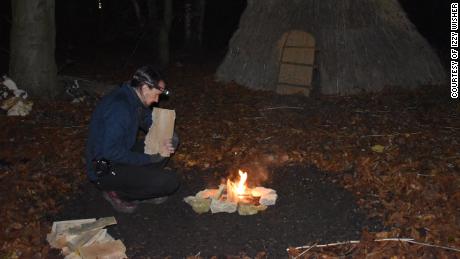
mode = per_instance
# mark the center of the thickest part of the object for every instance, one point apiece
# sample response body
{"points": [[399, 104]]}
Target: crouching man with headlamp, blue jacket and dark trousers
{"points": [[115, 161]]}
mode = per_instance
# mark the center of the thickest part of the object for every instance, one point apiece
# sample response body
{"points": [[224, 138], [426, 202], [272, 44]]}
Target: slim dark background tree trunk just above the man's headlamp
{"points": [[163, 36]]}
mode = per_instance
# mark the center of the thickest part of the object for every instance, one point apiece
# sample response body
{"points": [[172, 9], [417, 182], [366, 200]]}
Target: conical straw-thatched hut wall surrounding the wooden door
{"points": [[362, 46]]}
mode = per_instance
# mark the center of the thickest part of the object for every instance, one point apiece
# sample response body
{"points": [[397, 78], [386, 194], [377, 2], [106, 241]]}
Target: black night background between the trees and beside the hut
{"points": [[82, 28]]}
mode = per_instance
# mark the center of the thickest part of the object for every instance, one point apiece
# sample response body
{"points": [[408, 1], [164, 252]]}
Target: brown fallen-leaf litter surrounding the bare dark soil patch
{"points": [[399, 154]]}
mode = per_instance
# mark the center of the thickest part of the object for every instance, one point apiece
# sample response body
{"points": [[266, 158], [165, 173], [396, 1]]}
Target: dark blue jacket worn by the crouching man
{"points": [[113, 129]]}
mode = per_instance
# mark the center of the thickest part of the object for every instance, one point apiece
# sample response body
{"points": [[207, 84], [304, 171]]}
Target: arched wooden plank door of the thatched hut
{"points": [[297, 56]]}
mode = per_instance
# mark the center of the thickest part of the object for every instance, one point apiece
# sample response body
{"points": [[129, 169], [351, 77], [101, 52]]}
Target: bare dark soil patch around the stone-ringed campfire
{"points": [[310, 209]]}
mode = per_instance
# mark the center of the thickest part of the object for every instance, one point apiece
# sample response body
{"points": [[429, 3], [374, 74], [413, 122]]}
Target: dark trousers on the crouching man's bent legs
{"points": [[141, 182]]}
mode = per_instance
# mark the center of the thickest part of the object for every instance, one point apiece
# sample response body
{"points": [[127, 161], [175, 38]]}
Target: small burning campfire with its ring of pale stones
{"points": [[232, 197]]}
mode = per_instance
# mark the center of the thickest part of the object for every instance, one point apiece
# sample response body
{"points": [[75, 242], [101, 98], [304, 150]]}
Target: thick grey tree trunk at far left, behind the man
{"points": [[32, 60]]}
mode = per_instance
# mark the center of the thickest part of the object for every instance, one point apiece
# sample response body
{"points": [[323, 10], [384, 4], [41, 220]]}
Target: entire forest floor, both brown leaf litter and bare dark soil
{"points": [[345, 168]]}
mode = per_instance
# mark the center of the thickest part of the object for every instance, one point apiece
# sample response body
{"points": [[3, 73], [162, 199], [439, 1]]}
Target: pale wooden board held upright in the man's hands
{"points": [[162, 128]]}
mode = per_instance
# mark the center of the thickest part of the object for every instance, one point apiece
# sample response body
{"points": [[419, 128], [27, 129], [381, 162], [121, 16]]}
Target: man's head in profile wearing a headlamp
{"points": [[149, 84]]}
